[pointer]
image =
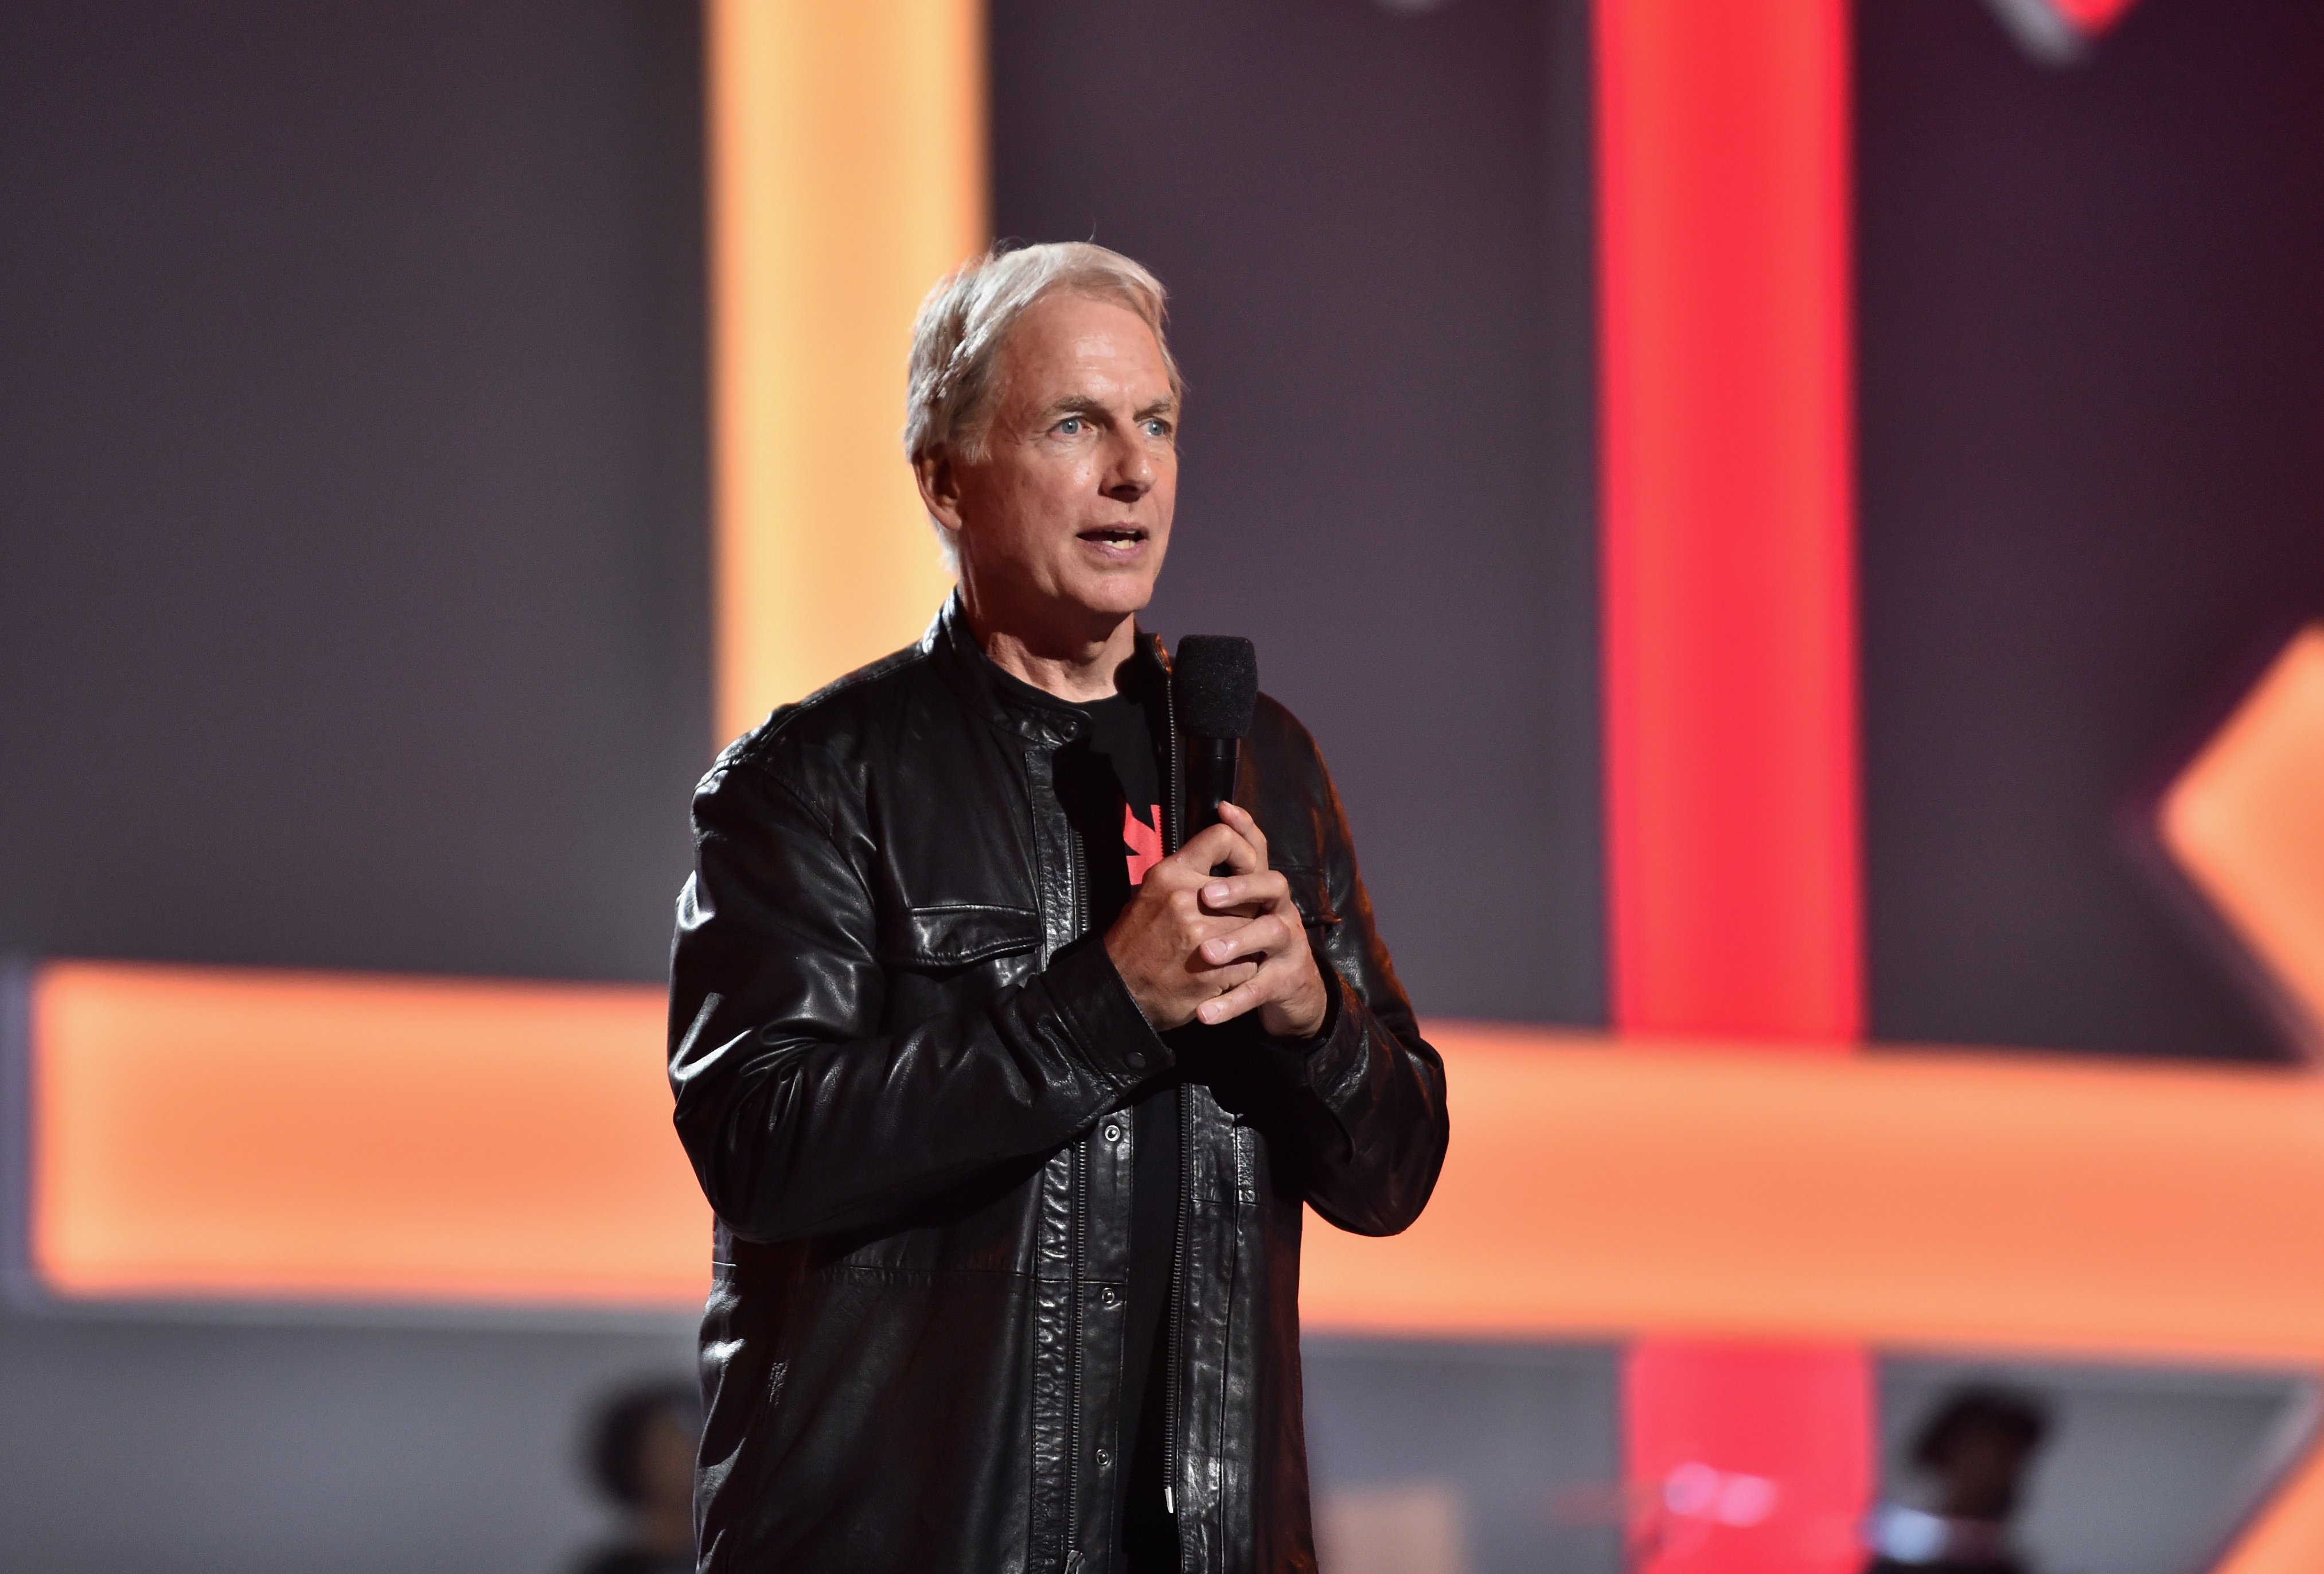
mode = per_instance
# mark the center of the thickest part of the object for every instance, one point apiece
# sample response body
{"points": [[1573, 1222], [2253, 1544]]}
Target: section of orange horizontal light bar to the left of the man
{"points": [[222, 1133]]}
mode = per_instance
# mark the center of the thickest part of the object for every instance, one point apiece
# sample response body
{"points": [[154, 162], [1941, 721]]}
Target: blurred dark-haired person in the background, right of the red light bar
{"points": [[1979, 1447]]}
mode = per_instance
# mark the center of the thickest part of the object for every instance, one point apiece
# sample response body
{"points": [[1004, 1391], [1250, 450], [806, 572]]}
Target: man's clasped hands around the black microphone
{"points": [[1193, 947]]}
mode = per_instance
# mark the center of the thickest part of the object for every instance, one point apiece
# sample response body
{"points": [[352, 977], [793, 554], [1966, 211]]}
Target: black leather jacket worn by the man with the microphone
{"points": [[903, 1073]]}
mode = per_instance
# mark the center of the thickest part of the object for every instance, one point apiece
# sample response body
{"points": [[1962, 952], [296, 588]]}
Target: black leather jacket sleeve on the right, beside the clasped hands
{"points": [[1368, 1096]]}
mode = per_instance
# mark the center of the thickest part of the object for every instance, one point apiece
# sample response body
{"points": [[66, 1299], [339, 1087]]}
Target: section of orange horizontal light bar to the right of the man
{"points": [[1900, 1199]]}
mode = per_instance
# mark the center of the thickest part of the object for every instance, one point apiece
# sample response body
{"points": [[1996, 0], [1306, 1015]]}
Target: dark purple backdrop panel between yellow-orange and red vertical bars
{"points": [[1377, 234]]}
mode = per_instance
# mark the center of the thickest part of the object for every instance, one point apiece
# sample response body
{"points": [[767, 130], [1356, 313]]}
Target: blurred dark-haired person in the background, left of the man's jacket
{"points": [[643, 1461]]}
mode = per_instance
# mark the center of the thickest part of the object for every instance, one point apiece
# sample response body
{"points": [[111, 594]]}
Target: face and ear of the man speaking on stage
{"points": [[1066, 517]]}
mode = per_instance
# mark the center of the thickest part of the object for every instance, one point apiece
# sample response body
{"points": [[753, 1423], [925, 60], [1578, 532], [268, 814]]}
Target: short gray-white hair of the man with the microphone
{"points": [[968, 317]]}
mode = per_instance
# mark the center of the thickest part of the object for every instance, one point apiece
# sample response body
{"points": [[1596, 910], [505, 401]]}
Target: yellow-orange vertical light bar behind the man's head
{"points": [[847, 171]]}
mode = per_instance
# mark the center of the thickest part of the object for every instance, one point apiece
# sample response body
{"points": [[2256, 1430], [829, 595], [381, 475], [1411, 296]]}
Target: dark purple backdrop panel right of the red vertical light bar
{"points": [[2093, 455]]}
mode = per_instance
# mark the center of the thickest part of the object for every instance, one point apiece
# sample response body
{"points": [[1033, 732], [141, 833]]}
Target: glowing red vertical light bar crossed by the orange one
{"points": [[1730, 678]]}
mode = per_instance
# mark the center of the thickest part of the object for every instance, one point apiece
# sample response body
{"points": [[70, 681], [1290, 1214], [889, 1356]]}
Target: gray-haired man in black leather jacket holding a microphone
{"points": [[1007, 1103]]}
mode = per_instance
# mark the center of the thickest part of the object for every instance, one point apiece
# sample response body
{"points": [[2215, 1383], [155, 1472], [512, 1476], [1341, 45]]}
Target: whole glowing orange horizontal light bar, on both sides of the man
{"points": [[264, 1133]]}
